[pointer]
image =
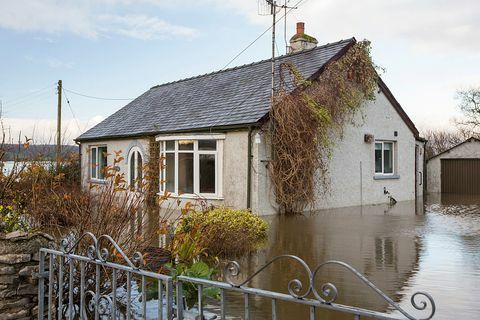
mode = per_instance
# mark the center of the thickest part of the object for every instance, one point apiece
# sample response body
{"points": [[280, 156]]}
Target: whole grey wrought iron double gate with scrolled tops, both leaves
{"points": [[90, 286]]}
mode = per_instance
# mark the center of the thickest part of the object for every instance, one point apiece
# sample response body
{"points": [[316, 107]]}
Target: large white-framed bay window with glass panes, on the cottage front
{"points": [[192, 165]]}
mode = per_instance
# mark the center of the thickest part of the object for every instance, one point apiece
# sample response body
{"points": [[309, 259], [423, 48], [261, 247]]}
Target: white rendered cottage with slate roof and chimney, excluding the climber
{"points": [[208, 130]]}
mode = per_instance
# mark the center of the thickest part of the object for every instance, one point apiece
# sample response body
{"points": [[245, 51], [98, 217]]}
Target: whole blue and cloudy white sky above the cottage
{"points": [[118, 49]]}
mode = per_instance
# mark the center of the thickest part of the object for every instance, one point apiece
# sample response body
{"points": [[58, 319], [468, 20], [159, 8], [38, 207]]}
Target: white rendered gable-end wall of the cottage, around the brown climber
{"points": [[352, 166]]}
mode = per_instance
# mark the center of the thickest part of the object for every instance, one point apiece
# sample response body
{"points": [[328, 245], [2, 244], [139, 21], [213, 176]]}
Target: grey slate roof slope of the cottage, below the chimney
{"points": [[231, 97]]}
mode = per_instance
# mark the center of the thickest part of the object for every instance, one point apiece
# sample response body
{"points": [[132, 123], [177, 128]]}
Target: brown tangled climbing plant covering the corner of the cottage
{"points": [[307, 115]]}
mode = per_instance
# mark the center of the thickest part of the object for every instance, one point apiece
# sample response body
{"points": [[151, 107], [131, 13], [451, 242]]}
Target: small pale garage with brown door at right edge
{"points": [[456, 170]]}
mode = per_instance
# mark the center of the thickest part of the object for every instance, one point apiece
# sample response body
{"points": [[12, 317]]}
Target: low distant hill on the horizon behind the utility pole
{"points": [[34, 151]]}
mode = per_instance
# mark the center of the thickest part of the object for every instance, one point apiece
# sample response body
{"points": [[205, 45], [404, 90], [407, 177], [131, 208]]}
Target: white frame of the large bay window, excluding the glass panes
{"points": [[196, 164]]}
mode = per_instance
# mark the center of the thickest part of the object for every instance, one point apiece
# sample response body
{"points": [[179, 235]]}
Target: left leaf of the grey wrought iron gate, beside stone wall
{"points": [[89, 286]]}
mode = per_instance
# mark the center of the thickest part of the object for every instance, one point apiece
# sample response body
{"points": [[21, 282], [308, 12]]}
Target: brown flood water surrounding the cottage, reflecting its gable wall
{"points": [[432, 246]]}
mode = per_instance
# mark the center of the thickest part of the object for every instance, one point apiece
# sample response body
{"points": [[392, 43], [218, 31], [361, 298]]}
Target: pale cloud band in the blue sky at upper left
{"points": [[84, 18]]}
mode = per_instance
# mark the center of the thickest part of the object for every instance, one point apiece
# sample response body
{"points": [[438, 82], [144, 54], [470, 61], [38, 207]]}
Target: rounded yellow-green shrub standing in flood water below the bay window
{"points": [[223, 232]]}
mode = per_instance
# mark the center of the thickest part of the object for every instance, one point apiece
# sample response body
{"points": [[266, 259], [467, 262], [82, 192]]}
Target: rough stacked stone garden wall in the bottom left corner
{"points": [[19, 253]]}
